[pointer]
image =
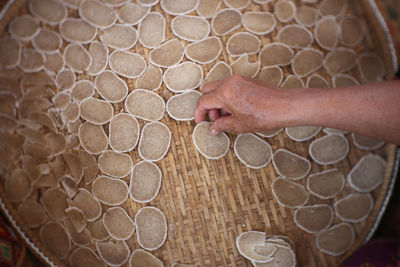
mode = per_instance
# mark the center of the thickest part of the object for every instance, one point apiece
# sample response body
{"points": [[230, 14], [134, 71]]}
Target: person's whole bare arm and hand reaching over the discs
{"points": [[239, 104]]}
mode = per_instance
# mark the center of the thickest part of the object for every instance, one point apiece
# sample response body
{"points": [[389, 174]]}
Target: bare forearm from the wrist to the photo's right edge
{"points": [[371, 110]]}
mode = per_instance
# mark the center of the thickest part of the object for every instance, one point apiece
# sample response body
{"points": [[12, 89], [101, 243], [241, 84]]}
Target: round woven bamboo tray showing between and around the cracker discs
{"points": [[208, 203]]}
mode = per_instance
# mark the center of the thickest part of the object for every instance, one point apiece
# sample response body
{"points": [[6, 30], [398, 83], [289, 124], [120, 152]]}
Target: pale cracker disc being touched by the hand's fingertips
{"points": [[210, 146]]}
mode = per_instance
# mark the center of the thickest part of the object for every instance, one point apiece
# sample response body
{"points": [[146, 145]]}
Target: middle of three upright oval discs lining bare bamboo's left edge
{"points": [[145, 181]]}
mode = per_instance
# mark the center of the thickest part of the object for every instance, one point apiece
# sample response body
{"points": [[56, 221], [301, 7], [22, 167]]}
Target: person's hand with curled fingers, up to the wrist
{"points": [[240, 104]]}
